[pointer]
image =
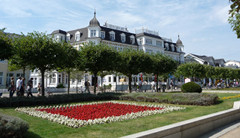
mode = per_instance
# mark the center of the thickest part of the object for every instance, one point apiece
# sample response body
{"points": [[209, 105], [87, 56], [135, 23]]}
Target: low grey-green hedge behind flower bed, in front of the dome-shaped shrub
{"points": [[174, 98]]}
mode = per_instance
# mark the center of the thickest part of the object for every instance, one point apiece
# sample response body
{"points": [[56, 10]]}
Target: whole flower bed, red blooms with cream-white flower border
{"points": [[78, 115]]}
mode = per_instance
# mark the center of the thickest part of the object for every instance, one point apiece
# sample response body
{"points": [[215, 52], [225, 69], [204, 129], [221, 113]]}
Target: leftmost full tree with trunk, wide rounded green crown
{"points": [[41, 52]]}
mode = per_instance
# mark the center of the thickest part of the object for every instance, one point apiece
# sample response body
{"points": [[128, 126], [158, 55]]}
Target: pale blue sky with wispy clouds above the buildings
{"points": [[201, 24]]}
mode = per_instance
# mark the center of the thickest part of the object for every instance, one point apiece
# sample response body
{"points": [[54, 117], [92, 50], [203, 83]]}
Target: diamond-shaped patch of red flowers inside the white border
{"points": [[95, 111]]}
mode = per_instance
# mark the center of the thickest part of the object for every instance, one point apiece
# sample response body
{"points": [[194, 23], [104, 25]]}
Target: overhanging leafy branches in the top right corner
{"points": [[234, 18]]}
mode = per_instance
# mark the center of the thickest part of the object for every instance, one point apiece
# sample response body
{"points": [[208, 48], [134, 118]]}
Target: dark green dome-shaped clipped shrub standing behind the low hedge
{"points": [[191, 87]]}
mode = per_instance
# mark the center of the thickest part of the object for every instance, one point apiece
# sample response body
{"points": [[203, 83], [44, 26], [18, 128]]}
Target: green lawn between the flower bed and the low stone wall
{"points": [[44, 128]]}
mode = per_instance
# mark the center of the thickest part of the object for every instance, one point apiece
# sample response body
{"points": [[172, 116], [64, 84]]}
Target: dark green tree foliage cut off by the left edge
{"points": [[6, 51]]}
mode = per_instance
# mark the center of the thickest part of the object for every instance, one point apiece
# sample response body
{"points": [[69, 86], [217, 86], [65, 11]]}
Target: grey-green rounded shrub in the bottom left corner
{"points": [[12, 127]]}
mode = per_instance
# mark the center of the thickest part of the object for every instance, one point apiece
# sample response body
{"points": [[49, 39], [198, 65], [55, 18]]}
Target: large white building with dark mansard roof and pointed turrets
{"points": [[117, 37]]}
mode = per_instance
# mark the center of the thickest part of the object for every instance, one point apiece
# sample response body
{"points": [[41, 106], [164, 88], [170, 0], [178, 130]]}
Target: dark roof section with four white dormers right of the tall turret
{"points": [[118, 36]]}
